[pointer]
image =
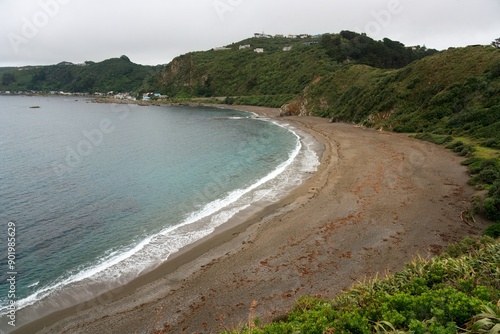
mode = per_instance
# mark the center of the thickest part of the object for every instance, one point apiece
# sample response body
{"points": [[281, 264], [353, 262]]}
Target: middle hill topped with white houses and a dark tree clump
{"points": [[284, 68]]}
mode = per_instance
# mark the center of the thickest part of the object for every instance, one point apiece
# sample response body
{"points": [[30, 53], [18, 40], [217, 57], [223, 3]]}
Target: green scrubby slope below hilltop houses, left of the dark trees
{"points": [[237, 72]]}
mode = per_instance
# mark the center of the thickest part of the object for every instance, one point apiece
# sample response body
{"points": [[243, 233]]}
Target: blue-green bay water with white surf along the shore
{"points": [[98, 194]]}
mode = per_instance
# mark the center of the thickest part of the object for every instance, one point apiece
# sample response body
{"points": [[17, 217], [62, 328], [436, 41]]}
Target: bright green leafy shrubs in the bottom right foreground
{"points": [[456, 292]]}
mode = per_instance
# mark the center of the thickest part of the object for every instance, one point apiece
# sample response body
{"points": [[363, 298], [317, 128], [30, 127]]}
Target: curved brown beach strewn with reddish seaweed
{"points": [[377, 200]]}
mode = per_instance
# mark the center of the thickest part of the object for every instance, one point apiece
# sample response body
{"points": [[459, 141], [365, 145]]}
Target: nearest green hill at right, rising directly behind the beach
{"points": [[455, 92]]}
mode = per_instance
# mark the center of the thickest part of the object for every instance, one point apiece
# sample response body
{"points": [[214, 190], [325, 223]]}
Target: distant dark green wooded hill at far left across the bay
{"points": [[116, 74]]}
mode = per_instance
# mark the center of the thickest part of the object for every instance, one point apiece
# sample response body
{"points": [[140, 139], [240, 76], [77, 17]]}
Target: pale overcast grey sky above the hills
{"points": [[152, 32]]}
